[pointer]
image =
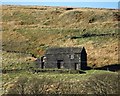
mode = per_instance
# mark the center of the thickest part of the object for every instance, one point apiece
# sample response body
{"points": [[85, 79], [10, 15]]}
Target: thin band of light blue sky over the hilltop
{"points": [[106, 5]]}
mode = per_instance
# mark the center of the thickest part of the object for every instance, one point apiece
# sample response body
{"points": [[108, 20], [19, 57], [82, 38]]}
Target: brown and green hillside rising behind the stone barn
{"points": [[33, 29]]}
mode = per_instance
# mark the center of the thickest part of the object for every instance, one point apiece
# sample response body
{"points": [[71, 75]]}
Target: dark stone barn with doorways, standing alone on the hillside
{"points": [[65, 58]]}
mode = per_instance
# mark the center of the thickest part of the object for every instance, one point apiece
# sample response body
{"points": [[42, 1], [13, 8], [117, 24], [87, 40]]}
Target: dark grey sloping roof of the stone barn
{"points": [[64, 50]]}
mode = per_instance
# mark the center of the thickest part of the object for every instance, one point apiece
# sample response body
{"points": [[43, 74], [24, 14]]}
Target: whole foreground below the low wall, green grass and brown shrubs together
{"points": [[56, 83]]}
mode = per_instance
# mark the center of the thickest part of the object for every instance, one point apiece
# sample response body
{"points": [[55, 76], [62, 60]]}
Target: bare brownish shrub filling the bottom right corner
{"points": [[103, 84]]}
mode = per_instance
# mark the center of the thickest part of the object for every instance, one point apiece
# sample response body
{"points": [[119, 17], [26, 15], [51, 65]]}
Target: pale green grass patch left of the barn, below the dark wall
{"points": [[16, 61]]}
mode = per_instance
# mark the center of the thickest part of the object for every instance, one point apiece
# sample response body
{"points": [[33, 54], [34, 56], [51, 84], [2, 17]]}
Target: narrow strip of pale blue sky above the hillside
{"points": [[71, 3]]}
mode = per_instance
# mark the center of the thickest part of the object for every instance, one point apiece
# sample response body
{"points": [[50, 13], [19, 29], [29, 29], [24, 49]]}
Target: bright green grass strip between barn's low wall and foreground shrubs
{"points": [[55, 76]]}
